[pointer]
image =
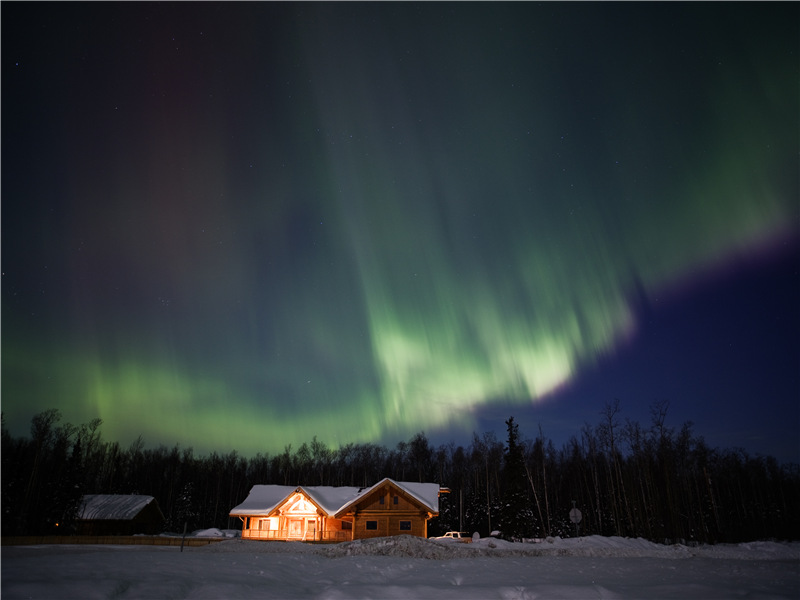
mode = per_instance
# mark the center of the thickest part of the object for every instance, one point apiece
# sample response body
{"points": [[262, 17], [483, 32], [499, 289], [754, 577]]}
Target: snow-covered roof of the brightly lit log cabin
{"points": [[263, 499]]}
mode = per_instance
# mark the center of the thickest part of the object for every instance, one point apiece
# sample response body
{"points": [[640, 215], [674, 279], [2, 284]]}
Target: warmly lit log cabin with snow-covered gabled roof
{"points": [[335, 514]]}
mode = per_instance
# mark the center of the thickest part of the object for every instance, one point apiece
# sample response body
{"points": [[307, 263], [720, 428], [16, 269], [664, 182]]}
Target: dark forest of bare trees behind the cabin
{"points": [[651, 481]]}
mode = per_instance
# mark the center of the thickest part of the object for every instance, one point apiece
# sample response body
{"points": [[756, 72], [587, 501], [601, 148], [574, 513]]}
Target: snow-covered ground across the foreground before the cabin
{"points": [[405, 568]]}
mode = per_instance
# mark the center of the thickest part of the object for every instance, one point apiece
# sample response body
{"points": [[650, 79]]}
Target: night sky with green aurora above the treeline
{"points": [[241, 226]]}
